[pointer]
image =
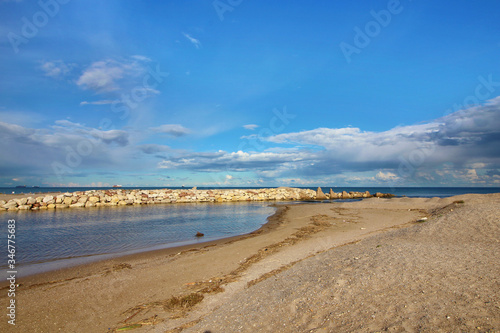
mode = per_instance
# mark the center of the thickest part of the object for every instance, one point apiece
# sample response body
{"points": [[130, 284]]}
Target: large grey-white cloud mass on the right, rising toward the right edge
{"points": [[466, 139]]}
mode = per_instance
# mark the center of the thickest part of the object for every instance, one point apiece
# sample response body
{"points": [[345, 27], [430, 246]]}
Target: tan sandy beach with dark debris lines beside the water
{"points": [[361, 266]]}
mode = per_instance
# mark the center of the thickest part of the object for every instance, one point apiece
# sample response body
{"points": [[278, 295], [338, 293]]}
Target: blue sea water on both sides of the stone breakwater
{"points": [[48, 240]]}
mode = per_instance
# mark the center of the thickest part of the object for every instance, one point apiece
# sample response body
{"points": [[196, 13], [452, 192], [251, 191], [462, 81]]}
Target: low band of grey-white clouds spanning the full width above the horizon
{"points": [[462, 148]]}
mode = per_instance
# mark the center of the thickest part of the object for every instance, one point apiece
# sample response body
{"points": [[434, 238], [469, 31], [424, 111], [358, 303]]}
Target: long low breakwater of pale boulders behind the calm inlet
{"points": [[123, 197]]}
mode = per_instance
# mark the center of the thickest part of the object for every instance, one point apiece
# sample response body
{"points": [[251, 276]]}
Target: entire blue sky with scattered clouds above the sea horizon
{"points": [[249, 93]]}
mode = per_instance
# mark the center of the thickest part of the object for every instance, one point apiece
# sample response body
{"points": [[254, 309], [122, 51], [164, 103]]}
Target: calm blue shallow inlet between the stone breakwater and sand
{"points": [[47, 236]]}
